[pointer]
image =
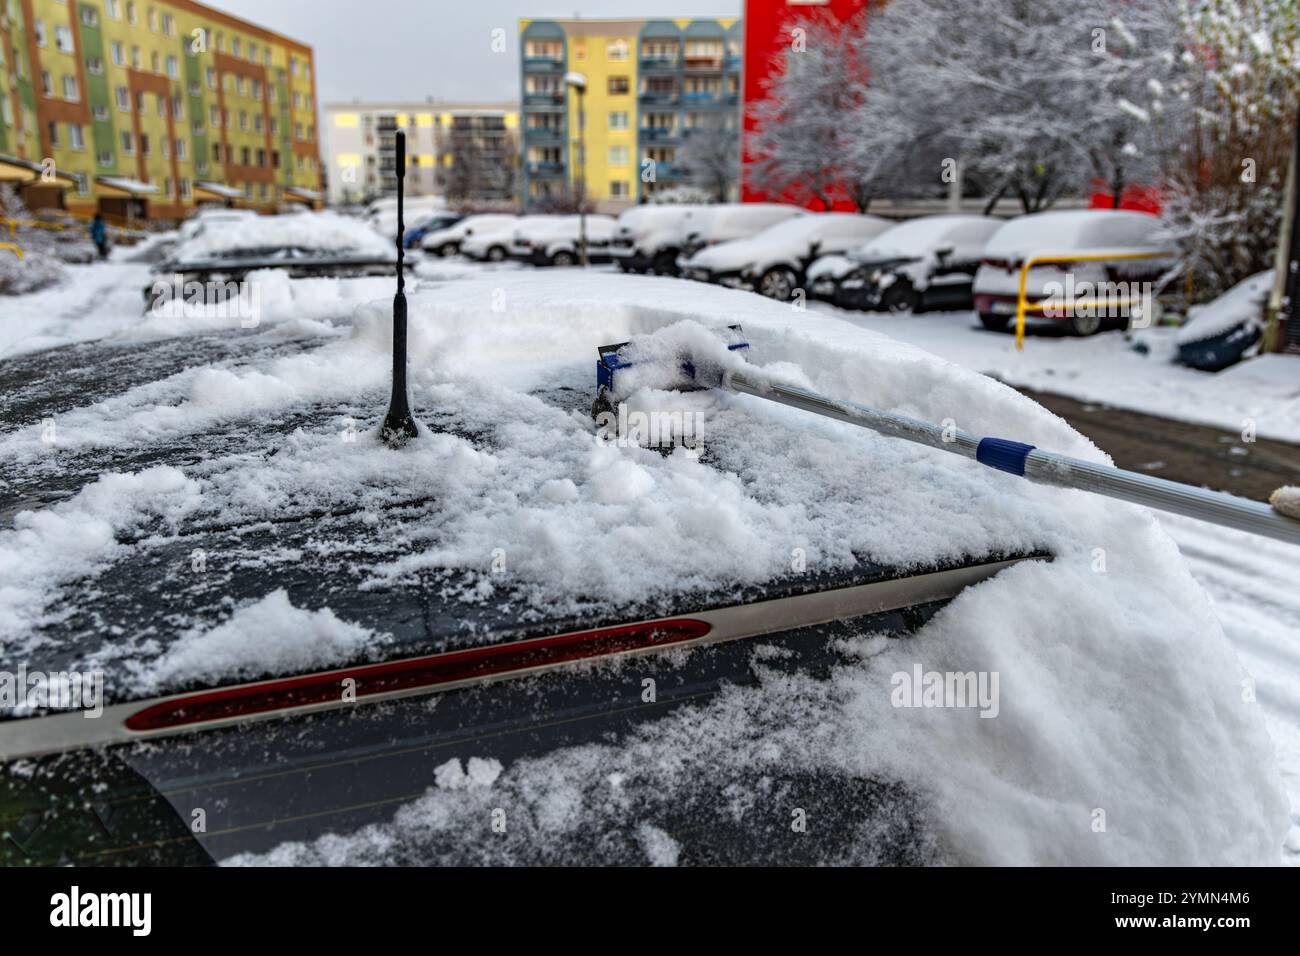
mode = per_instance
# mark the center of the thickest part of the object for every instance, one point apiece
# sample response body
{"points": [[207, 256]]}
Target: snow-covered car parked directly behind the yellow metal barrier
{"points": [[1103, 291]]}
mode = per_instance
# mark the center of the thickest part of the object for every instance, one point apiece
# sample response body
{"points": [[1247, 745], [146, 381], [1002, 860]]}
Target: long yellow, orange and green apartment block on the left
{"points": [[151, 107]]}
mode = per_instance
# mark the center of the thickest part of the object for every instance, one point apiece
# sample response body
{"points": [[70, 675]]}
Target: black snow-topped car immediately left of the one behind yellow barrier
{"points": [[922, 265]]}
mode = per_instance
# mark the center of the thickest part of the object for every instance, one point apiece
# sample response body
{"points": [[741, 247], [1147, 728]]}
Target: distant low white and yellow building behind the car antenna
{"points": [[467, 153]]}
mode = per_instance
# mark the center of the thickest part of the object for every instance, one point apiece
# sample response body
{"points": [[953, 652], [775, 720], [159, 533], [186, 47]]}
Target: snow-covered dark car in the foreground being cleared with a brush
{"points": [[522, 639]]}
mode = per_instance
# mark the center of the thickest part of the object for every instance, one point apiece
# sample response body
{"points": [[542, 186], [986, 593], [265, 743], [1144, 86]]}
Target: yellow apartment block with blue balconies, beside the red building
{"points": [[649, 85]]}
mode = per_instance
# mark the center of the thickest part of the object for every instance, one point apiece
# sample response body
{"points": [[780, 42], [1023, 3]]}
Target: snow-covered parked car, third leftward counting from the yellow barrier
{"points": [[774, 263]]}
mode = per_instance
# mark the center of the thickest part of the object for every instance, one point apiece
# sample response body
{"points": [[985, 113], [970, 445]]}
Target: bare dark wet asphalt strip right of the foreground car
{"points": [[1181, 452]]}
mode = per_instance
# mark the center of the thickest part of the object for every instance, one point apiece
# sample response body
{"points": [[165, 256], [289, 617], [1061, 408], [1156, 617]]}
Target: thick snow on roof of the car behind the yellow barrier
{"points": [[1104, 231]]}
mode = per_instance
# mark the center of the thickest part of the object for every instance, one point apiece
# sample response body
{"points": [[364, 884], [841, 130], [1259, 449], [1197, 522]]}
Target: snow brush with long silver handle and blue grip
{"points": [[694, 373]]}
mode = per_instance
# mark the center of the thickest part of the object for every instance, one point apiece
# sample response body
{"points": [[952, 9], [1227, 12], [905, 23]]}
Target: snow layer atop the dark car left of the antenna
{"points": [[313, 232]]}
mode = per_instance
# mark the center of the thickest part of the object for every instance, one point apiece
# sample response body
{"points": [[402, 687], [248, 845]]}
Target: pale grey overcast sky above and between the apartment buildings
{"points": [[409, 50]]}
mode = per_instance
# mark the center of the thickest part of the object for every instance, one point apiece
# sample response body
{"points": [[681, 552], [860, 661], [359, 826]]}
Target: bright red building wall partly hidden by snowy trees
{"points": [[769, 27]]}
